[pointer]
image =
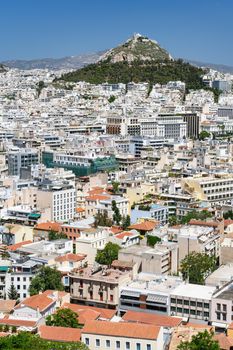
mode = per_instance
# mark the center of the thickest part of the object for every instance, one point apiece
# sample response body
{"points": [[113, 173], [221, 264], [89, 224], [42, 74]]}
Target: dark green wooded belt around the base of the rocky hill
{"points": [[138, 71]]}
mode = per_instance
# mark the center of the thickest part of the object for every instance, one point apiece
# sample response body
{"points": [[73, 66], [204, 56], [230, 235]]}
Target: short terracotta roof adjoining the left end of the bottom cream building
{"points": [[63, 334]]}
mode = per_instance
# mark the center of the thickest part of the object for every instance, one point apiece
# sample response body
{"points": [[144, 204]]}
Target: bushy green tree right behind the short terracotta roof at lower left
{"points": [[63, 318]]}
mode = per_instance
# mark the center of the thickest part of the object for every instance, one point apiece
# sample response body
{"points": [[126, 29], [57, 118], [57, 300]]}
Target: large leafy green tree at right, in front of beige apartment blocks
{"points": [[197, 266]]}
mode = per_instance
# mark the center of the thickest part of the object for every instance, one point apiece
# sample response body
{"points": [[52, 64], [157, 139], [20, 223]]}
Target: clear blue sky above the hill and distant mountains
{"points": [[195, 29]]}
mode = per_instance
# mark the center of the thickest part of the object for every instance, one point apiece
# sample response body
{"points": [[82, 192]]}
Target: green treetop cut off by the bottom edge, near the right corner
{"points": [[201, 341]]}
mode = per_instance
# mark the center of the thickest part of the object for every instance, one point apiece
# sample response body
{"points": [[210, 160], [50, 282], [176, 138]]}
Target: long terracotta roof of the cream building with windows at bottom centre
{"points": [[120, 329]]}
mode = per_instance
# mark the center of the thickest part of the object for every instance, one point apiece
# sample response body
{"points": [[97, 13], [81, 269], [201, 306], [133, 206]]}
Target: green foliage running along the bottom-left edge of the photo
{"points": [[26, 340]]}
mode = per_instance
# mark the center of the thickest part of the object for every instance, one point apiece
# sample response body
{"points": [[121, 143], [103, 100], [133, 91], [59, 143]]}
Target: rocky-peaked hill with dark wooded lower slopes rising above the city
{"points": [[139, 60]]}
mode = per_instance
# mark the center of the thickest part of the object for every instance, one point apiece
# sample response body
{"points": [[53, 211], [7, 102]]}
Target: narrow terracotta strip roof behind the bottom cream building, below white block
{"points": [[157, 320]]}
